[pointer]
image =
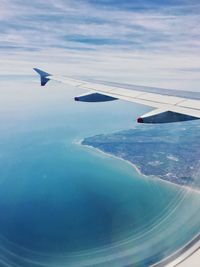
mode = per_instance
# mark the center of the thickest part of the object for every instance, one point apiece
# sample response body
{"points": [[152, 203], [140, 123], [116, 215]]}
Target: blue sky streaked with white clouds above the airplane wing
{"points": [[147, 42]]}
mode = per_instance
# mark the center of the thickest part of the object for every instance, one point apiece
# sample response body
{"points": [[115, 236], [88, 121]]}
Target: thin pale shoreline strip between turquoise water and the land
{"points": [[135, 167]]}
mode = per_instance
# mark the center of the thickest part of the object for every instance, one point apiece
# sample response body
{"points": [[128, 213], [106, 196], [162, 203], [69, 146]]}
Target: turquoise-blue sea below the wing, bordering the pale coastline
{"points": [[63, 204]]}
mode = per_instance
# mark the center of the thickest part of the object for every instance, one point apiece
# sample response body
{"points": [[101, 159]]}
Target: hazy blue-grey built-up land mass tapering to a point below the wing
{"points": [[170, 152]]}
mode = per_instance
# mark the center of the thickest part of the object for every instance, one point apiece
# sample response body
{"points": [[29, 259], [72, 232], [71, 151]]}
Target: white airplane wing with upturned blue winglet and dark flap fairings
{"points": [[167, 106]]}
